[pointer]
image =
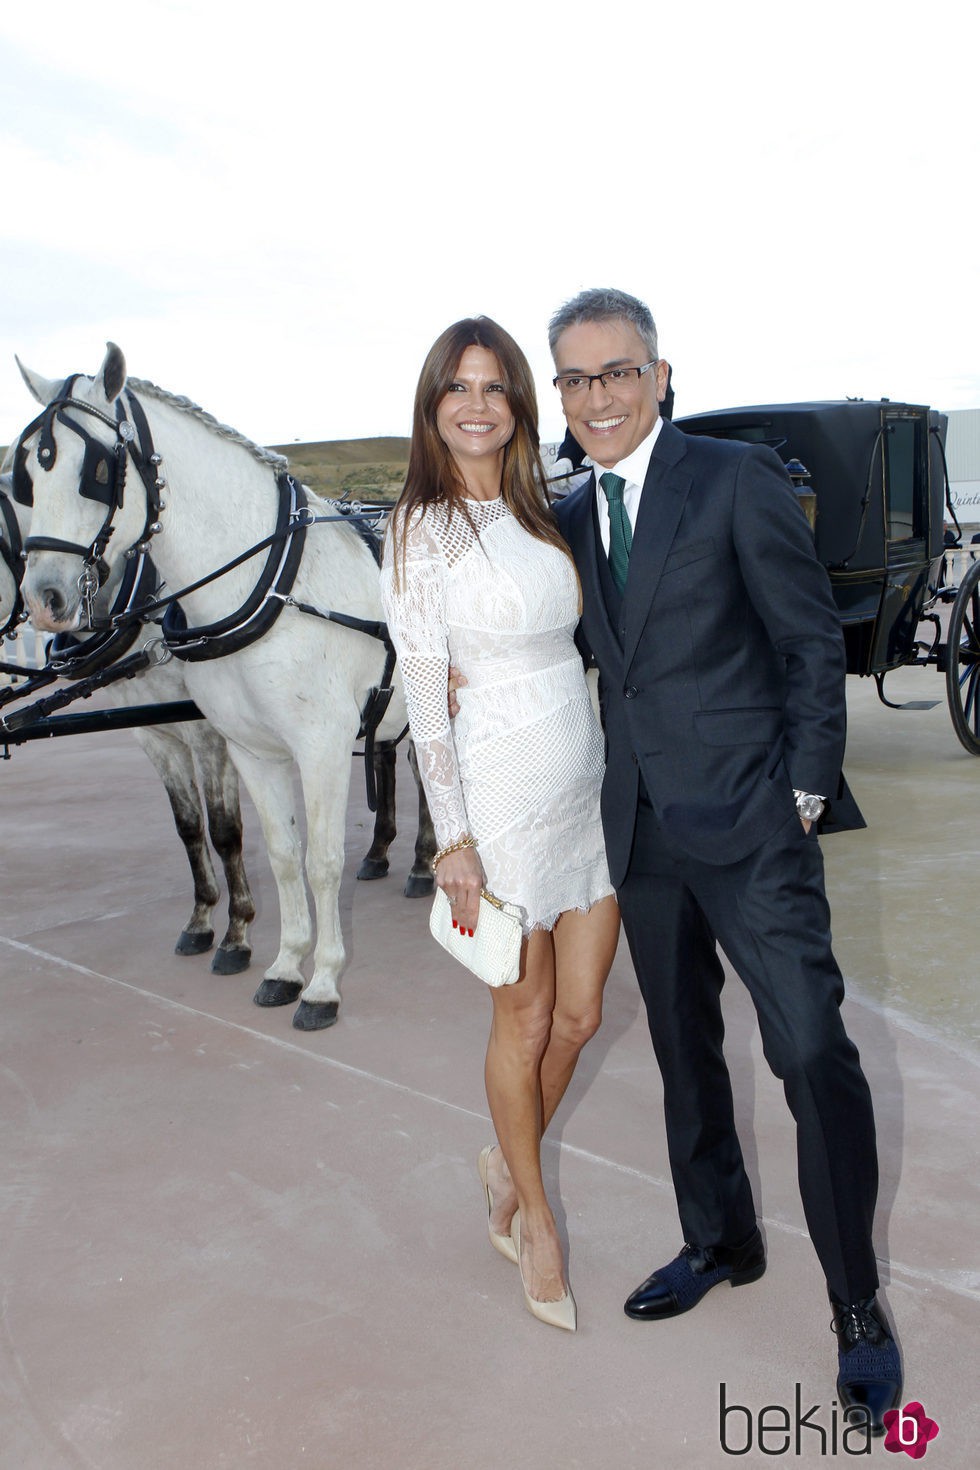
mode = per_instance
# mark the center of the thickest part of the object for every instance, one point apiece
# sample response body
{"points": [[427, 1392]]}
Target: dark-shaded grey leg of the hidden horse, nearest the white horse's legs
{"points": [[220, 784]]}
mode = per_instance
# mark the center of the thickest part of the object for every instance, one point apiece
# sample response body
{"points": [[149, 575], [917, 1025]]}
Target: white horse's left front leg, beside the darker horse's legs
{"points": [[270, 786]]}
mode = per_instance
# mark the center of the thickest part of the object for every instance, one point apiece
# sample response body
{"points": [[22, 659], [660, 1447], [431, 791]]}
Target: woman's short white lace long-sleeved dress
{"points": [[521, 767]]}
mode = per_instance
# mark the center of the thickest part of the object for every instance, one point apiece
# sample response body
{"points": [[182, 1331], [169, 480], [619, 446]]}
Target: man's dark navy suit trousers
{"points": [[771, 918]]}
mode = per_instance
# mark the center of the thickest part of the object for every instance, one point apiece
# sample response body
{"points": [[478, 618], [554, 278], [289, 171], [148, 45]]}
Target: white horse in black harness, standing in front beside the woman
{"points": [[293, 698]]}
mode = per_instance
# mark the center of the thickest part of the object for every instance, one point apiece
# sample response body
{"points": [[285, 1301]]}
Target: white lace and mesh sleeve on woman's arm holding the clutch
{"points": [[415, 608]]}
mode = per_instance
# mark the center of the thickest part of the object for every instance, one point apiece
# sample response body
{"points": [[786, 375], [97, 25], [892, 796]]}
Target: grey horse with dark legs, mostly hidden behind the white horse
{"points": [[190, 758]]}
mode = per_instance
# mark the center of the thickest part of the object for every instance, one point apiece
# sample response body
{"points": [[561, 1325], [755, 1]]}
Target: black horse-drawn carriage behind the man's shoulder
{"points": [[872, 478]]}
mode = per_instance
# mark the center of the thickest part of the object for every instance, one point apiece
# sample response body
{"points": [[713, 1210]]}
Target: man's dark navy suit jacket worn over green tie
{"points": [[724, 670]]}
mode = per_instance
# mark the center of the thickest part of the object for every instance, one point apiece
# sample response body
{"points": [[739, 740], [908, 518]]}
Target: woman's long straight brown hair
{"points": [[433, 474]]}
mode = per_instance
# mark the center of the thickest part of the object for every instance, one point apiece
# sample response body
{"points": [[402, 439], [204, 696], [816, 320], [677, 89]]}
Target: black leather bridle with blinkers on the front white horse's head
{"points": [[104, 478]]}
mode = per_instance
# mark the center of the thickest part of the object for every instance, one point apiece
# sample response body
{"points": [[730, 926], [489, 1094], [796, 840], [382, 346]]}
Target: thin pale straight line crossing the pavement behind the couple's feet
{"points": [[915, 1277]]}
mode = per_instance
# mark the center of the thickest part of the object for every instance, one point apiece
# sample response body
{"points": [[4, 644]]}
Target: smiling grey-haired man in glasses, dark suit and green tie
{"points": [[722, 683]]}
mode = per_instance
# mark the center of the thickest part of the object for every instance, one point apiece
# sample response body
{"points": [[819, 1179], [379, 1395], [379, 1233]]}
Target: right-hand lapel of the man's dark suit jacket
{"points": [[666, 490]]}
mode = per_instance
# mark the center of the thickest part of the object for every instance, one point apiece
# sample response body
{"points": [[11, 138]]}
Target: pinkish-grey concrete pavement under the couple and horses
{"points": [[226, 1243]]}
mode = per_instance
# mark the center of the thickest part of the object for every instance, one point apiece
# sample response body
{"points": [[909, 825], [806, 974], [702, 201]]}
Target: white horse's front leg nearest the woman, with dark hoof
{"points": [[325, 792]]}
